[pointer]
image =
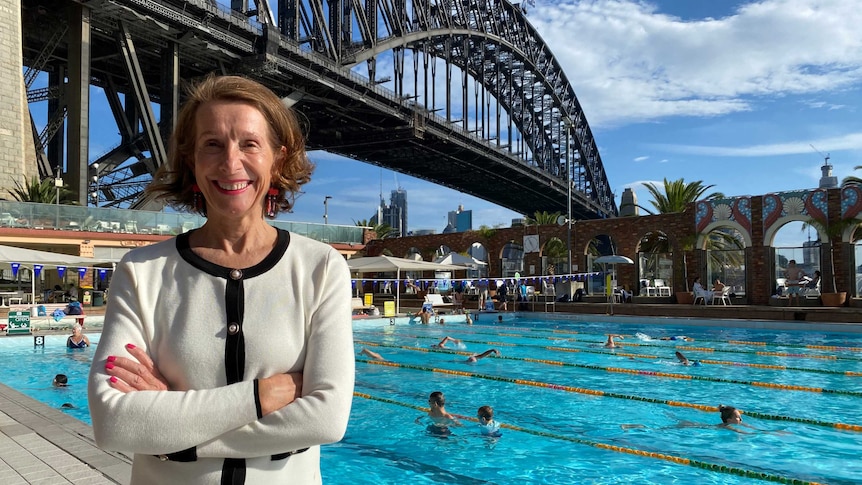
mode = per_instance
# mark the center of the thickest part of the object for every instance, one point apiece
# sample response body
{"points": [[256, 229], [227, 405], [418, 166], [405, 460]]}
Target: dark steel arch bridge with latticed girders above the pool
{"points": [[308, 56]]}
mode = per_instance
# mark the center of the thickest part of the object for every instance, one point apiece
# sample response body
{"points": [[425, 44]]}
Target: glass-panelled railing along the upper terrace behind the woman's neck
{"points": [[103, 219]]}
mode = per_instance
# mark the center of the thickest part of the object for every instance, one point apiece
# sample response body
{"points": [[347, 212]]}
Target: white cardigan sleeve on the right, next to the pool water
{"points": [[320, 416]]}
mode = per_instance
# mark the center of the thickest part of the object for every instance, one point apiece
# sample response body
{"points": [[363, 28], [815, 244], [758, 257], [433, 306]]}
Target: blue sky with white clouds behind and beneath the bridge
{"points": [[747, 96]]}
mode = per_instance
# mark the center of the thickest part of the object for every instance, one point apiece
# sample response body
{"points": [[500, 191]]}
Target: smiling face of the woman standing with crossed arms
{"points": [[233, 159]]}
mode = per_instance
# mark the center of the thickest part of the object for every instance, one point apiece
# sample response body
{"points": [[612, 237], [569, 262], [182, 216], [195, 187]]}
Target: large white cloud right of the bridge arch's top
{"points": [[629, 63]]}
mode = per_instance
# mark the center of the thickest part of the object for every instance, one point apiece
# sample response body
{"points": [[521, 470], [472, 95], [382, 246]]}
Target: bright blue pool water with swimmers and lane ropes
{"points": [[572, 410]]}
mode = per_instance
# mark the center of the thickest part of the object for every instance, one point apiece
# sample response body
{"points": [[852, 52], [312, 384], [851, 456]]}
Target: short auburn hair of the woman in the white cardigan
{"points": [[173, 182]]}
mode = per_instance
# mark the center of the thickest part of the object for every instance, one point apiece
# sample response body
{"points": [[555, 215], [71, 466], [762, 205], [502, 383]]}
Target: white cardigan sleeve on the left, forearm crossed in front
{"points": [[154, 422]]}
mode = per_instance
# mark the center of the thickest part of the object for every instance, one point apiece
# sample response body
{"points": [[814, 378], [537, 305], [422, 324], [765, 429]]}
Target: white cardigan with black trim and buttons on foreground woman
{"points": [[289, 313]]}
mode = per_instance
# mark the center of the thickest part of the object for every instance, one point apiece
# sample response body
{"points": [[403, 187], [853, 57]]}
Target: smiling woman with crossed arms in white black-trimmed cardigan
{"points": [[239, 332]]}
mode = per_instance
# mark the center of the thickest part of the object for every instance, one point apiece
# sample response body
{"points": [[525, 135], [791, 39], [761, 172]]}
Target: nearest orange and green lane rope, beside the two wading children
{"points": [[771, 477]]}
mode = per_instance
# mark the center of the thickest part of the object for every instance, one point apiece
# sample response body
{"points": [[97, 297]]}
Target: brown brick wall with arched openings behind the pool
{"points": [[626, 233]]}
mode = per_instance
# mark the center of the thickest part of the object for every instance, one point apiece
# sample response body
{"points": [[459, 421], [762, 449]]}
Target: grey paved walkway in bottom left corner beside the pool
{"points": [[42, 445]]}
